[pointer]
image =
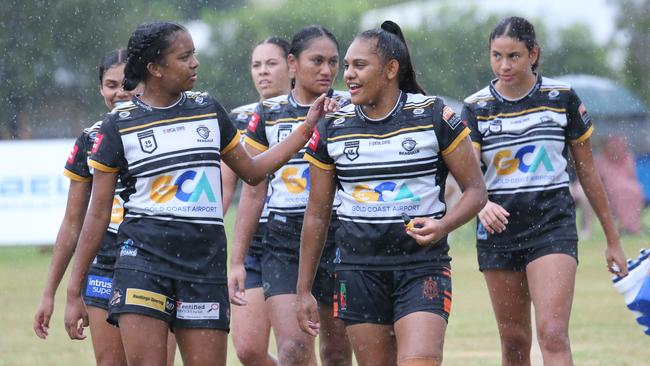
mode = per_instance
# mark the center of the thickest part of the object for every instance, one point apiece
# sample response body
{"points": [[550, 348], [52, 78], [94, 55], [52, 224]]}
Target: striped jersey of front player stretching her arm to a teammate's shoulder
{"points": [[169, 162]]}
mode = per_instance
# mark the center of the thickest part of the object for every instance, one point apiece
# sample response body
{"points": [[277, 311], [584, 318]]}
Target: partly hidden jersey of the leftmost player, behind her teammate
{"points": [[77, 169]]}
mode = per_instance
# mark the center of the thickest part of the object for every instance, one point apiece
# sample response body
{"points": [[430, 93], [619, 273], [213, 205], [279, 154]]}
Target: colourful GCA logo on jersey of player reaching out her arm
{"points": [[190, 186]]}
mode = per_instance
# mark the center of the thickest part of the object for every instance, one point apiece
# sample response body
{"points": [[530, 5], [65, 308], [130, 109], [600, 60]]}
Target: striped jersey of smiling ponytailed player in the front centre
{"points": [[385, 168]]}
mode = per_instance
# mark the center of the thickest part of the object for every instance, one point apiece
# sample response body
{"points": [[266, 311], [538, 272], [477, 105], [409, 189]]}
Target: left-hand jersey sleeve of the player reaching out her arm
{"points": [[107, 152]]}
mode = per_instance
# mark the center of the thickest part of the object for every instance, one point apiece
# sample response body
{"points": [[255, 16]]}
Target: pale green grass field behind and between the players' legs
{"points": [[603, 331]]}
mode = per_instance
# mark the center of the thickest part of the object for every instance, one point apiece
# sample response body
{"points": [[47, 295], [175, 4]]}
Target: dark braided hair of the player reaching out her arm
{"points": [[146, 45]]}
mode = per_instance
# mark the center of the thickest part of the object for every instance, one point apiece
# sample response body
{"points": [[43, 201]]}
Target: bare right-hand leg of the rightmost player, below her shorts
{"points": [[551, 279]]}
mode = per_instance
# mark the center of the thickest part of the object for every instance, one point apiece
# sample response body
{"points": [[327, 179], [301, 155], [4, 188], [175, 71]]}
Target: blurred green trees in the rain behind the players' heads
{"points": [[51, 50]]}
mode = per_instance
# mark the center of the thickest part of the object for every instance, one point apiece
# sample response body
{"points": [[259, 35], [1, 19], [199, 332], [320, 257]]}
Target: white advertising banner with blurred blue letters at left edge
{"points": [[33, 190]]}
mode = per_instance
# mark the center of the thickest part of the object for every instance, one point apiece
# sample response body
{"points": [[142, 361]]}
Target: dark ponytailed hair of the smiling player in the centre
{"points": [[391, 45]]}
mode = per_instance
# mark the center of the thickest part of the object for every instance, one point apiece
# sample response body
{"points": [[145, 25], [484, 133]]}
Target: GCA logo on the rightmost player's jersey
{"points": [[527, 159]]}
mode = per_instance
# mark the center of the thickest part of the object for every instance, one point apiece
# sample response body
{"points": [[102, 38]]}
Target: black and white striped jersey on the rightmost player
{"points": [[524, 147]]}
